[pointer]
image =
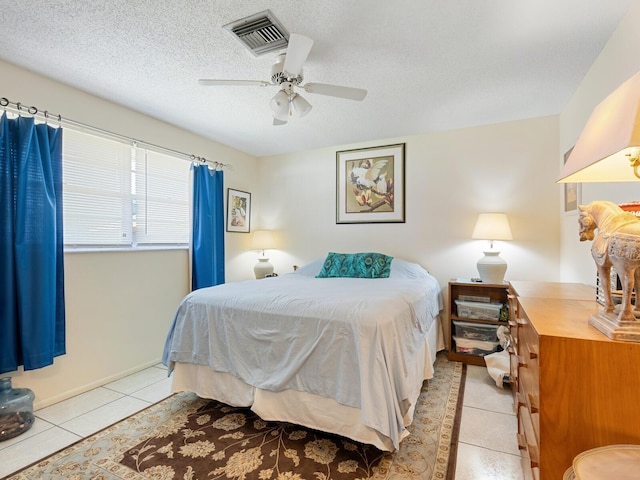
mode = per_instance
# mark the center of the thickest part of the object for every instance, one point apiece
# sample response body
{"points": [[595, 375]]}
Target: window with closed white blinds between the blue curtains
{"points": [[120, 195]]}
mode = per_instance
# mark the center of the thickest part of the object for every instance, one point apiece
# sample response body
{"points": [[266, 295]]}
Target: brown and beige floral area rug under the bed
{"points": [[188, 438]]}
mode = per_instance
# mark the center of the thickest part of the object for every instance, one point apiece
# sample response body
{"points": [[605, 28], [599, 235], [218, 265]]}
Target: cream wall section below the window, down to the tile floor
{"points": [[118, 310]]}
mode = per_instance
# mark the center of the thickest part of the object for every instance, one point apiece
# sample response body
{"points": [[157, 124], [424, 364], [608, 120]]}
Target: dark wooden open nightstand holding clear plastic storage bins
{"points": [[476, 310]]}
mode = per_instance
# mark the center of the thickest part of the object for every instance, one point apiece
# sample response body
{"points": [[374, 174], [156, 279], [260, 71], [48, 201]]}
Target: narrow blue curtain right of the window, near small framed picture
{"points": [[207, 260]]}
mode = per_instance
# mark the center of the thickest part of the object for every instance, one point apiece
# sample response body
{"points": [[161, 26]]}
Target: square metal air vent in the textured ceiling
{"points": [[260, 33]]}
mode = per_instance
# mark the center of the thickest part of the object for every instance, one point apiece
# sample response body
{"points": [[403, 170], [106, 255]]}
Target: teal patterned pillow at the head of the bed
{"points": [[356, 265]]}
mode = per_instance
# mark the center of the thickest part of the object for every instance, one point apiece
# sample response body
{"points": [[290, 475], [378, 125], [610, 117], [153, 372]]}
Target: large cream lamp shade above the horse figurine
{"points": [[612, 132]]}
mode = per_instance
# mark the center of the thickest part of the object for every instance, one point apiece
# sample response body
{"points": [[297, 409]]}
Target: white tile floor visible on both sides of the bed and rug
{"points": [[487, 449]]}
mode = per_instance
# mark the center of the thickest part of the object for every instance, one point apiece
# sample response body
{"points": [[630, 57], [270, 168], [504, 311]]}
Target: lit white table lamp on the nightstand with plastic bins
{"points": [[492, 226]]}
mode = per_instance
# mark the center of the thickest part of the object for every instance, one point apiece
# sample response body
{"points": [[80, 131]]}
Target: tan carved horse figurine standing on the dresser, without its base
{"points": [[616, 244]]}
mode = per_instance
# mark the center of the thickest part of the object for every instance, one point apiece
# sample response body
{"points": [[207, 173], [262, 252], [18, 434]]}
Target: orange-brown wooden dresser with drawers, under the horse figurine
{"points": [[575, 389]]}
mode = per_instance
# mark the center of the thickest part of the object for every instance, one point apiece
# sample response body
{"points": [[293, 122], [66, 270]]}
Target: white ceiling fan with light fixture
{"points": [[286, 73]]}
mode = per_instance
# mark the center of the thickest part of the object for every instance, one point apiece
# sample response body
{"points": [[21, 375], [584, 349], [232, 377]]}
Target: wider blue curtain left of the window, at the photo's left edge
{"points": [[32, 313]]}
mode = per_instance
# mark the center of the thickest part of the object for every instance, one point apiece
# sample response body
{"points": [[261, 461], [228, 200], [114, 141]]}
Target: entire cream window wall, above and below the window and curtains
{"points": [[119, 304]]}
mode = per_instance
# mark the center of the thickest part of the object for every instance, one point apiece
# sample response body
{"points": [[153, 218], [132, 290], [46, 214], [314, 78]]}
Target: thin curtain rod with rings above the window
{"points": [[19, 109]]}
